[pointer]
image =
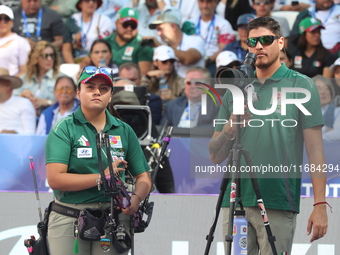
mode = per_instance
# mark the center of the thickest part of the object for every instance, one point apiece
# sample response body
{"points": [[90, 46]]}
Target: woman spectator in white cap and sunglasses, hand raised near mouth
{"points": [[163, 80]]}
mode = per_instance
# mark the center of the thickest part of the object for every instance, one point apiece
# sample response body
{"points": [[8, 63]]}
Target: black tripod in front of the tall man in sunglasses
{"points": [[235, 156]]}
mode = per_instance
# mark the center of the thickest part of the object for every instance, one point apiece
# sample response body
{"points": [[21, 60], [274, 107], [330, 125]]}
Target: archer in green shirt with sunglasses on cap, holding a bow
{"points": [[72, 164]]}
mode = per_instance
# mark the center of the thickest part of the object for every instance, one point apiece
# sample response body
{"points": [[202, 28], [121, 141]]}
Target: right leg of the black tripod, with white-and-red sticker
{"points": [[260, 203]]}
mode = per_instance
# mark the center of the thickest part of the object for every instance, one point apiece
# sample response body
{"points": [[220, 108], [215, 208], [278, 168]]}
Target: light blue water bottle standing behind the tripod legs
{"points": [[240, 229]]}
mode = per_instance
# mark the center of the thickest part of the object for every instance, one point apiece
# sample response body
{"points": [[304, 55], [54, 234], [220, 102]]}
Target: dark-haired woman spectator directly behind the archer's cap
{"points": [[101, 55]]}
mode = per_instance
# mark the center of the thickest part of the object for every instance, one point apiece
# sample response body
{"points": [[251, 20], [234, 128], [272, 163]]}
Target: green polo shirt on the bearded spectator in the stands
{"points": [[130, 52]]}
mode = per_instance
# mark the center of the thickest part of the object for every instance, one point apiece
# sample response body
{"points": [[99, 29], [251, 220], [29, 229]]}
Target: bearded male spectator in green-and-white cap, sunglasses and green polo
{"points": [[124, 43]]}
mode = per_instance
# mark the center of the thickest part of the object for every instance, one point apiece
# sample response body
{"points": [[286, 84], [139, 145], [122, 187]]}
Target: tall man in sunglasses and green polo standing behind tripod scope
{"points": [[274, 145]]}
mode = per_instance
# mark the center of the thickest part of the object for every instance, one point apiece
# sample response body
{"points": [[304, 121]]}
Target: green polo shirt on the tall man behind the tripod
{"points": [[272, 144]]}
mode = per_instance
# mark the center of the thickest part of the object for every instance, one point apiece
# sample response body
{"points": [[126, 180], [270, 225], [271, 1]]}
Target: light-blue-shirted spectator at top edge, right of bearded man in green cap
{"points": [[148, 12]]}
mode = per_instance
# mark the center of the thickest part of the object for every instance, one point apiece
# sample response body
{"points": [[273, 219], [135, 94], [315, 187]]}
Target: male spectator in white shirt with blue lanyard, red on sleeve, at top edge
{"points": [[214, 30]]}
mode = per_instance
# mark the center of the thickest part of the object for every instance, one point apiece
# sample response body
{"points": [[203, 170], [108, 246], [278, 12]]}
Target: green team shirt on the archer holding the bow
{"points": [[72, 142]]}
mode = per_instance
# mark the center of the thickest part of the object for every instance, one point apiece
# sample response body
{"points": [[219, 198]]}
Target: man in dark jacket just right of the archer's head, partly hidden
{"points": [[131, 71]]}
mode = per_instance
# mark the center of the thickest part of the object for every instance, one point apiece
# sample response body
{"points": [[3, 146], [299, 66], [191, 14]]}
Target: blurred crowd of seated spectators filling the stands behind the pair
{"points": [[162, 45]]}
